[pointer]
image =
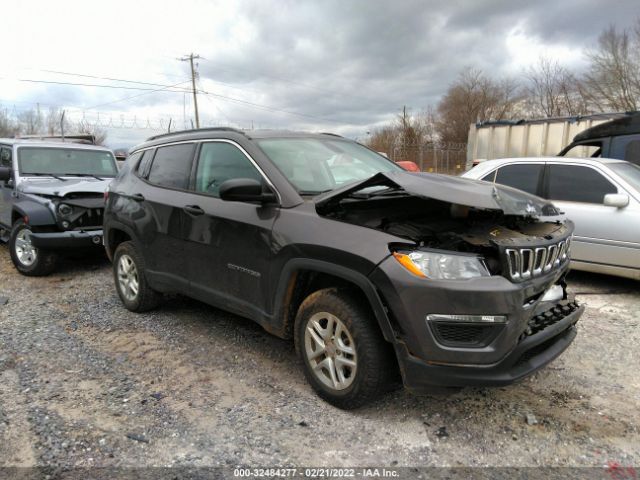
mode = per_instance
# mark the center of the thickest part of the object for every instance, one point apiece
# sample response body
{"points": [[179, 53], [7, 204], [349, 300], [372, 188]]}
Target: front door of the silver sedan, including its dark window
{"points": [[603, 234]]}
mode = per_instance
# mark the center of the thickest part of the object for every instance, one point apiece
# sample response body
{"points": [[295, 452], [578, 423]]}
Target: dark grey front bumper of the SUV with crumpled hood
{"points": [[524, 344]]}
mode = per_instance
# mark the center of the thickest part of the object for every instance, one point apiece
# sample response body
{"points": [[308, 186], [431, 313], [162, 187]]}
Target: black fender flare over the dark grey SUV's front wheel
{"points": [[352, 276]]}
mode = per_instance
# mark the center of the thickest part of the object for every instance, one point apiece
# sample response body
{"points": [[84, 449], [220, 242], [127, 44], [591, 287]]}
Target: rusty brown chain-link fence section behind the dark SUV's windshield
{"points": [[447, 158]]}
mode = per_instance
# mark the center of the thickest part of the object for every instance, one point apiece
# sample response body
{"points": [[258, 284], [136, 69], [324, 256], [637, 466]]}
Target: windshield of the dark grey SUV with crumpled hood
{"points": [[318, 165]]}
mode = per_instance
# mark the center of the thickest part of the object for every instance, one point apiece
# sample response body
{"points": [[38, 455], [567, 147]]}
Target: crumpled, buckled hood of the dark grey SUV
{"points": [[455, 190]]}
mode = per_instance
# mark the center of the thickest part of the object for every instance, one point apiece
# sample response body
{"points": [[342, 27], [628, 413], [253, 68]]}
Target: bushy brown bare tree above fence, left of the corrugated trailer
{"points": [[471, 98]]}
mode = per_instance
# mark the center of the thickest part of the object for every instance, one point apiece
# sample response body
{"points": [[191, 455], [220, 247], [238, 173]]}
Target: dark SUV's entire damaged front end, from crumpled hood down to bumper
{"points": [[475, 278]]}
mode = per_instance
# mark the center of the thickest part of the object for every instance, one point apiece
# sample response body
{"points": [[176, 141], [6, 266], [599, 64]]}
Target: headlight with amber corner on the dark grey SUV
{"points": [[442, 266]]}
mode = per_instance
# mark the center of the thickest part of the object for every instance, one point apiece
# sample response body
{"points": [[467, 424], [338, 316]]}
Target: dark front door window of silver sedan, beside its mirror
{"points": [[573, 183]]}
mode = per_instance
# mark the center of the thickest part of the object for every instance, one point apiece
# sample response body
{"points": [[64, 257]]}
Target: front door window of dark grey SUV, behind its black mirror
{"points": [[219, 162]]}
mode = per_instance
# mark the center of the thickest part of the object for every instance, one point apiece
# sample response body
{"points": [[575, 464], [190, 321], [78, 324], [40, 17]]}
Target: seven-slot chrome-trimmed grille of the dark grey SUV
{"points": [[525, 263]]}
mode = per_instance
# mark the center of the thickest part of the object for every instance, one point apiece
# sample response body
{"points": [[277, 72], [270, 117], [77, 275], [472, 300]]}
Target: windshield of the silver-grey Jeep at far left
{"points": [[66, 161]]}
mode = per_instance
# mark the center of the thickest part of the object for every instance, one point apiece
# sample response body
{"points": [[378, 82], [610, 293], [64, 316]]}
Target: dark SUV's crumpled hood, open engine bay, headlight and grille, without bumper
{"points": [[493, 230]]}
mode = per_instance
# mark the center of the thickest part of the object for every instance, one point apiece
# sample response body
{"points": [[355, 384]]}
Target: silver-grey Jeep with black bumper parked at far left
{"points": [[51, 199]]}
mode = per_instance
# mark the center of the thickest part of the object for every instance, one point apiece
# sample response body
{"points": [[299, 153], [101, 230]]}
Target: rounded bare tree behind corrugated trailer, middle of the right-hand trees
{"points": [[553, 91]]}
